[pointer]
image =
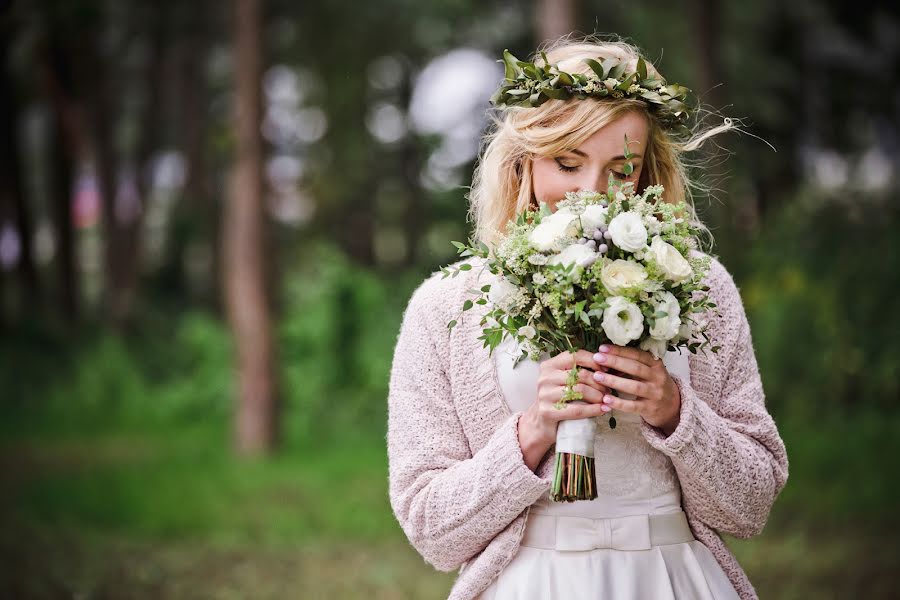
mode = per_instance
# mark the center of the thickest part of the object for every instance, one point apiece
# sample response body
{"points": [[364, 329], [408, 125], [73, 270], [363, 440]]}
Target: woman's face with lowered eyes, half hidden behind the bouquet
{"points": [[589, 166]]}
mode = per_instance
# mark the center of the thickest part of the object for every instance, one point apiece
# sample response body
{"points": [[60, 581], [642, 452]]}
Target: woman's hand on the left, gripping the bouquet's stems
{"points": [[538, 424]]}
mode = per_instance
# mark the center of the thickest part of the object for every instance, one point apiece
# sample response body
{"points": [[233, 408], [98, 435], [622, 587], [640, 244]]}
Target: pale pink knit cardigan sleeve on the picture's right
{"points": [[726, 449]]}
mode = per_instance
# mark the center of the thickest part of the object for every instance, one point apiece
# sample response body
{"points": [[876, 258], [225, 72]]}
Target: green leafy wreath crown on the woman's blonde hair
{"points": [[529, 85]]}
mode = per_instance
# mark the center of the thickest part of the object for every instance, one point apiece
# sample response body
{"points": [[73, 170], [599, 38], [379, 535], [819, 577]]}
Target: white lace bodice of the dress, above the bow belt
{"points": [[632, 476]]}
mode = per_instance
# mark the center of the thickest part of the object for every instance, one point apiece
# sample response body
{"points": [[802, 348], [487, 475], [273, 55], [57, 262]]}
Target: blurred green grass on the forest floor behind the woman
{"points": [[168, 514]]}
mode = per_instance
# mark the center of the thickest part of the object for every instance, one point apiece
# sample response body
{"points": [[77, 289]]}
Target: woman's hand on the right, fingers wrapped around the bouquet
{"points": [[658, 399]]}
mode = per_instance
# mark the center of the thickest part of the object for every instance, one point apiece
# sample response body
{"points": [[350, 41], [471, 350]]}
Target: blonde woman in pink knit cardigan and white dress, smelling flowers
{"points": [[470, 439]]}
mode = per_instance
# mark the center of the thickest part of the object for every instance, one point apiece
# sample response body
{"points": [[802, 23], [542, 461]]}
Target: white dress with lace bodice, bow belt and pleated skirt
{"points": [[631, 543]]}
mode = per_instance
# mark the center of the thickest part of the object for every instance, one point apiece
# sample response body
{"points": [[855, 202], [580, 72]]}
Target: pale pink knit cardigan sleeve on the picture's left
{"points": [[450, 502]]}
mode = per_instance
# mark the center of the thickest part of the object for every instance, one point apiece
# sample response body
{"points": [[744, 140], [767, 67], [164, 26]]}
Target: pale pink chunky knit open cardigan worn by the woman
{"points": [[458, 484]]}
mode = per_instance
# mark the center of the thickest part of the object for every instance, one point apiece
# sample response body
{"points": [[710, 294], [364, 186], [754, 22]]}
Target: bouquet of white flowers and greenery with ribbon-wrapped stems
{"points": [[604, 267]]}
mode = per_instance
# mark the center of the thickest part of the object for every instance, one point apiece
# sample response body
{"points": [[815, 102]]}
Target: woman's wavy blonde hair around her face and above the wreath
{"points": [[501, 185]]}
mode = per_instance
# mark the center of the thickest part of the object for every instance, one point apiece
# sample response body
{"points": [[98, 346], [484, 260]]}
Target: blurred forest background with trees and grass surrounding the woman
{"points": [[212, 215]]}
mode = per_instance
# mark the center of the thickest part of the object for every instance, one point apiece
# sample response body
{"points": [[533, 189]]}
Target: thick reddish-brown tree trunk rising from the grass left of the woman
{"points": [[243, 224]]}
